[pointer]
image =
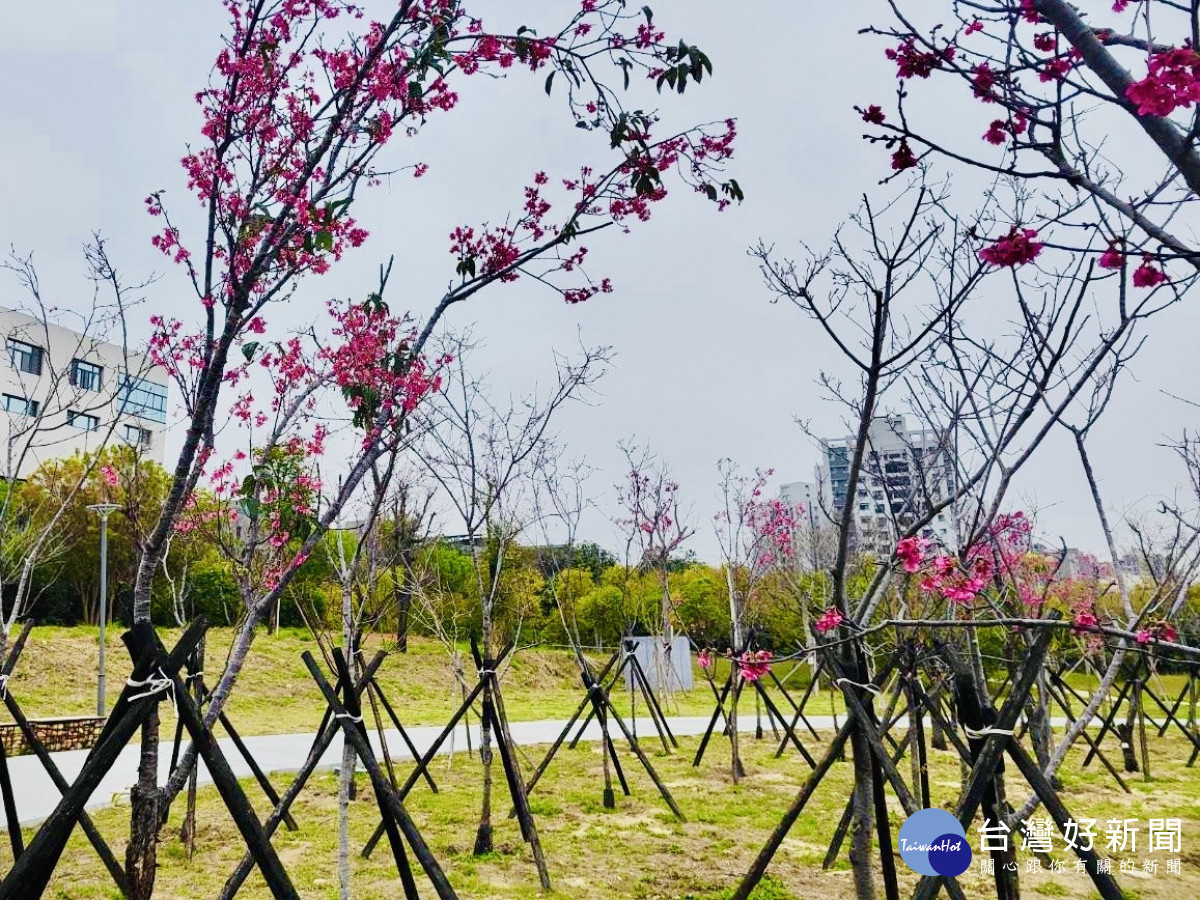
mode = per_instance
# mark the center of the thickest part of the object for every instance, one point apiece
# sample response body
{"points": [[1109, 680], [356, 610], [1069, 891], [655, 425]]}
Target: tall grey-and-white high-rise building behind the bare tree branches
{"points": [[905, 472]]}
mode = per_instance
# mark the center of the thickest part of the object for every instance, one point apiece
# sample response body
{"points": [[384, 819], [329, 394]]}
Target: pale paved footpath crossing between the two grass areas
{"points": [[37, 795]]}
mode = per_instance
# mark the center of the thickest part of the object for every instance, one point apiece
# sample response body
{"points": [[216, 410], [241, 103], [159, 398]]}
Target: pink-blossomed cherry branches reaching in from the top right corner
{"points": [[1093, 104]]}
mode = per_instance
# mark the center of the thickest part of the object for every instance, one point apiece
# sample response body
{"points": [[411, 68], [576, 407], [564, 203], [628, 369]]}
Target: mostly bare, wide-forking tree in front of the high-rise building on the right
{"points": [[902, 296]]}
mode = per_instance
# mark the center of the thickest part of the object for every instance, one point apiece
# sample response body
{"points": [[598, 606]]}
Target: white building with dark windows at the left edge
{"points": [[62, 392]]}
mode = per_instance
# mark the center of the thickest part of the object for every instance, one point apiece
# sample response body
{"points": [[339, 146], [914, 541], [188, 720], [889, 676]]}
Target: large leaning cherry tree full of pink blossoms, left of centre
{"points": [[304, 105]]}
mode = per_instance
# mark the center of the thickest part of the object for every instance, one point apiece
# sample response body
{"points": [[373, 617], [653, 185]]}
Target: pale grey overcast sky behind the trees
{"points": [[97, 110]]}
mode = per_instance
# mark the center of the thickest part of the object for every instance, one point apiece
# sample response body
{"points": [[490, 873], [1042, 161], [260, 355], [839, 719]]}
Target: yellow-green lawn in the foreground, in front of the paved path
{"points": [[639, 850]]}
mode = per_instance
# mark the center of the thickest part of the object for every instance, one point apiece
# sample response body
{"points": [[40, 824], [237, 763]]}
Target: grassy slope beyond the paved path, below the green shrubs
{"points": [[275, 695]]}
